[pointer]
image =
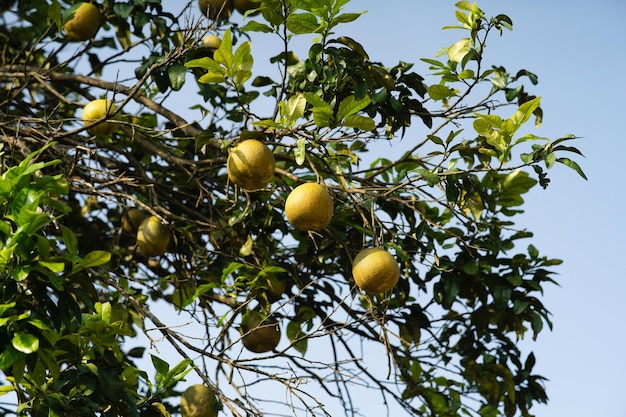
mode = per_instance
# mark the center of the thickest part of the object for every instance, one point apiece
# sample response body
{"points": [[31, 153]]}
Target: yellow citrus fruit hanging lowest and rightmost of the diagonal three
{"points": [[375, 270]]}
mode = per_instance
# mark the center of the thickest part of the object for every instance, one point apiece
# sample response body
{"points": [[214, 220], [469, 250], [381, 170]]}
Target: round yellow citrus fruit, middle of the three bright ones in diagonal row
{"points": [[309, 207]]}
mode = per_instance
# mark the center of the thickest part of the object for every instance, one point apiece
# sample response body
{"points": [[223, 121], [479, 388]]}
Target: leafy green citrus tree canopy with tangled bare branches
{"points": [[115, 227]]}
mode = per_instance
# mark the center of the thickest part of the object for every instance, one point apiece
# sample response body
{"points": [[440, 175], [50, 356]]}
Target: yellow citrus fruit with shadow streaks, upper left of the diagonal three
{"points": [[250, 165]]}
